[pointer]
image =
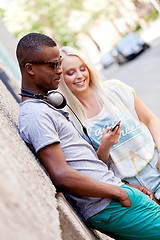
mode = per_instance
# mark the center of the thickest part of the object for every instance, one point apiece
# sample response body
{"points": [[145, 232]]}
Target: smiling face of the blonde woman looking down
{"points": [[76, 74]]}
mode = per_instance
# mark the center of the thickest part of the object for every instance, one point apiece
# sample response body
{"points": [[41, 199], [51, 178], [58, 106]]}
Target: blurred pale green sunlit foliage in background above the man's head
{"points": [[61, 19]]}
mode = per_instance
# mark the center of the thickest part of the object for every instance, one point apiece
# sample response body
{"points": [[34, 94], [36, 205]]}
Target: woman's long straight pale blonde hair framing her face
{"points": [[103, 96]]}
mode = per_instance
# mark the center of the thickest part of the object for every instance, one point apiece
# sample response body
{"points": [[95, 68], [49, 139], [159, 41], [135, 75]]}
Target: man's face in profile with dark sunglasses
{"points": [[47, 77]]}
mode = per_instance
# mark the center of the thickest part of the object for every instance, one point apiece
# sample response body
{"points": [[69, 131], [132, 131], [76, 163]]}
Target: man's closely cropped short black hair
{"points": [[31, 44]]}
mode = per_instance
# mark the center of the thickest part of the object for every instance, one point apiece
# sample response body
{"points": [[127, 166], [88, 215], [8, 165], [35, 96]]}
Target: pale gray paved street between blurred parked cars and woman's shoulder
{"points": [[143, 73]]}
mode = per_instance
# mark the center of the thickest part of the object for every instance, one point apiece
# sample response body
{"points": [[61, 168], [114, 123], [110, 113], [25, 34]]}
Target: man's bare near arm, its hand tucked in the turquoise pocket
{"points": [[72, 181]]}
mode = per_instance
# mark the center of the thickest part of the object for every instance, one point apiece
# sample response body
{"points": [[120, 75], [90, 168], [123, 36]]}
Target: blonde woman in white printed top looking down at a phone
{"points": [[136, 157]]}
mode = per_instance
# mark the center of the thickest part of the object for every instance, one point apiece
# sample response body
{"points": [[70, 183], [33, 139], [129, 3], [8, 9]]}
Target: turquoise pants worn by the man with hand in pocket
{"points": [[140, 221]]}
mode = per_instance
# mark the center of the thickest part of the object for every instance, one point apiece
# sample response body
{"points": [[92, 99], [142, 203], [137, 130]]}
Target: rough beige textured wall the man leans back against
{"points": [[28, 207]]}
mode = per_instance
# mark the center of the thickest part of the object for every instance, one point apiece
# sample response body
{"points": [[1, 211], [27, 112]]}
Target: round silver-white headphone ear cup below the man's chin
{"points": [[56, 99]]}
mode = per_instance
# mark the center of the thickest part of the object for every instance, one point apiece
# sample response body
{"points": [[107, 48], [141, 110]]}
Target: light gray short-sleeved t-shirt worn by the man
{"points": [[40, 124]]}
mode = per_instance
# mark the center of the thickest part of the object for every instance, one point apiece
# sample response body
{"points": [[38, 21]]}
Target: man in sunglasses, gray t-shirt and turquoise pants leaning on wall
{"points": [[102, 199]]}
